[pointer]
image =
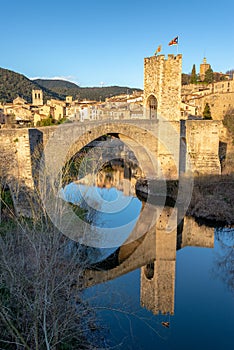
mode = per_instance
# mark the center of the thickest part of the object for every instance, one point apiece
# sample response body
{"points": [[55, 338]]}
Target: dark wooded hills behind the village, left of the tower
{"points": [[13, 84]]}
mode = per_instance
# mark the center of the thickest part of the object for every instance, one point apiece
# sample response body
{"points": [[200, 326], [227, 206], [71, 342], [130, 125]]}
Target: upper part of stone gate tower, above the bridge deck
{"points": [[162, 87]]}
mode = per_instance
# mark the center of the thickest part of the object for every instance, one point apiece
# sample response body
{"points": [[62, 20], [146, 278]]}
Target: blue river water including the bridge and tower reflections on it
{"points": [[163, 290]]}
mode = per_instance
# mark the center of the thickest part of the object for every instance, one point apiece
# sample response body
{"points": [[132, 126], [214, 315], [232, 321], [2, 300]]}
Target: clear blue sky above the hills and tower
{"points": [[103, 43]]}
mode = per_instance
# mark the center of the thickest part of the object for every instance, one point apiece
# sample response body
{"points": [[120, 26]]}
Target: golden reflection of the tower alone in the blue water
{"points": [[158, 277]]}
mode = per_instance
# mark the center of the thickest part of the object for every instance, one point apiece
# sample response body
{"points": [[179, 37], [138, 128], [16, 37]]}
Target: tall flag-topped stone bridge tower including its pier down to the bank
{"points": [[162, 99]]}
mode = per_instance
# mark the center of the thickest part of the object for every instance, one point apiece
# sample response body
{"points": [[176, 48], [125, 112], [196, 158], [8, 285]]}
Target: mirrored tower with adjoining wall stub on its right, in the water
{"points": [[158, 277]]}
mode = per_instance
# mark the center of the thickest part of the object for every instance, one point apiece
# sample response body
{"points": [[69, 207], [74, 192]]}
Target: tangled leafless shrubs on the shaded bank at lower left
{"points": [[41, 273]]}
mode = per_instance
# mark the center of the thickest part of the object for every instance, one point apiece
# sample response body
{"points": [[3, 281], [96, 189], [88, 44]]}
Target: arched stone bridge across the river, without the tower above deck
{"points": [[164, 149]]}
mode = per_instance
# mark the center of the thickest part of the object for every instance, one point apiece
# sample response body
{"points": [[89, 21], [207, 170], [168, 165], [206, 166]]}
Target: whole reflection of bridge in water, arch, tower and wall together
{"points": [[155, 254]]}
